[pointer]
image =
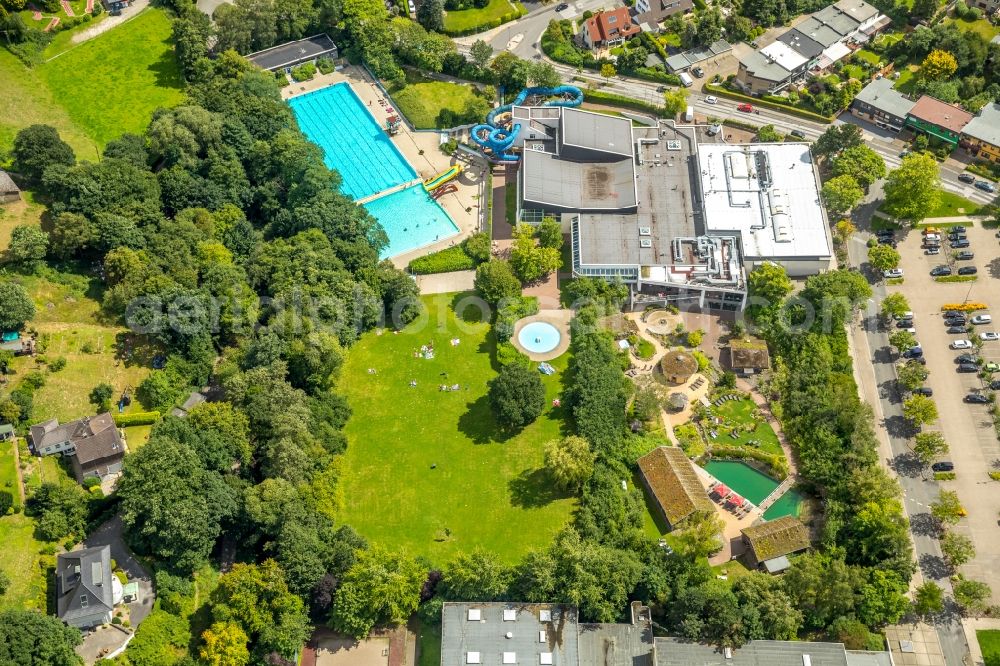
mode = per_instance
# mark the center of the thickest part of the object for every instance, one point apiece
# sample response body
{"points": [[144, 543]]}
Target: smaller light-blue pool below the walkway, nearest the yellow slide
{"points": [[411, 219]]}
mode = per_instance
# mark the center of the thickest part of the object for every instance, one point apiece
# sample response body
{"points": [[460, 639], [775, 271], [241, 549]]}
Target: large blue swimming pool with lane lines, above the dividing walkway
{"points": [[335, 119]]}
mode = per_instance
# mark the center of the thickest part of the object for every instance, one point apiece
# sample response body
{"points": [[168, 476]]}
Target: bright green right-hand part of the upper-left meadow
{"points": [[113, 83]]}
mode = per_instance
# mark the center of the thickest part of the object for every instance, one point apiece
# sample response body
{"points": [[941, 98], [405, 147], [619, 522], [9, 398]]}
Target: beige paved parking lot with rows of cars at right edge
{"points": [[968, 428]]}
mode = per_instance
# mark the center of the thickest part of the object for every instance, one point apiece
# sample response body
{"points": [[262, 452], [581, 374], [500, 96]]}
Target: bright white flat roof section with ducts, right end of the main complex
{"points": [[768, 195]]}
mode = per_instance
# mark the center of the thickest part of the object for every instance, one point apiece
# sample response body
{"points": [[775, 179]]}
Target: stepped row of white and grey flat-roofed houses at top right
{"points": [[822, 39]]}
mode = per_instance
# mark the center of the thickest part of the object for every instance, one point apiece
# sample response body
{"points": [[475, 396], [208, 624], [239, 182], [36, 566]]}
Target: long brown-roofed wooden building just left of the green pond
{"points": [[673, 484]]}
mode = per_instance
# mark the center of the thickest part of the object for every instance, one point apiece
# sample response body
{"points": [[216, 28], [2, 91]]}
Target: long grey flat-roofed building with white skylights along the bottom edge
{"points": [[546, 634]]}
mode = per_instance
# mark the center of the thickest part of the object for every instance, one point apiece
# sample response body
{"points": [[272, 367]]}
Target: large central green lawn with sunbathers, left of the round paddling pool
{"points": [[488, 489]]}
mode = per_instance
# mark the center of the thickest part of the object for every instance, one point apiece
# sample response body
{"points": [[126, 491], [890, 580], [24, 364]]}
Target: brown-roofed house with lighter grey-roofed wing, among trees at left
{"points": [[94, 445]]}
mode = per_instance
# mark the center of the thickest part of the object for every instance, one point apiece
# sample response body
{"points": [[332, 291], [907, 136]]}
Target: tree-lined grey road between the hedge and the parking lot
{"points": [[878, 377]]}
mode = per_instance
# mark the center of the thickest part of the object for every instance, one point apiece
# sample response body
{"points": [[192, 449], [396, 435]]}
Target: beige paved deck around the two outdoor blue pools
{"points": [[421, 149]]}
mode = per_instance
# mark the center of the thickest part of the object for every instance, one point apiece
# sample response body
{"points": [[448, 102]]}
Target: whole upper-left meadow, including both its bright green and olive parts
{"points": [[106, 86]]}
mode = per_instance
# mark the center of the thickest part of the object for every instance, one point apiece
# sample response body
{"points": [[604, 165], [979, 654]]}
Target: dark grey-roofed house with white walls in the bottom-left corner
{"points": [[85, 587]]}
